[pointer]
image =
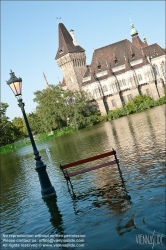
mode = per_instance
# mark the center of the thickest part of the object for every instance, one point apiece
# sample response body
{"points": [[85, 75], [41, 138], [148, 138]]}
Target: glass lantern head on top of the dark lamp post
{"points": [[15, 84]]}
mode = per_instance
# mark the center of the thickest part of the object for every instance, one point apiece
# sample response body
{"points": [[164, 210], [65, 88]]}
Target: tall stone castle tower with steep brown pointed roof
{"points": [[70, 58]]}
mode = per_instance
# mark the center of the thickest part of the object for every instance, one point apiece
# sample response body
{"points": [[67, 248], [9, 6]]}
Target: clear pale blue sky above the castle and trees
{"points": [[29, 37]]}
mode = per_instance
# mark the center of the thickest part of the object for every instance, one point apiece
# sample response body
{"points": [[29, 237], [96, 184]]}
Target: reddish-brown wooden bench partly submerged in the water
{"points": [[93, 158]]}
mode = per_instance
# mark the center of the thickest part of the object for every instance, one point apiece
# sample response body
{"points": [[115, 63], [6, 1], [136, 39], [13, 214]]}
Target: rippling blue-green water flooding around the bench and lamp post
{"points": [[104, 210]]}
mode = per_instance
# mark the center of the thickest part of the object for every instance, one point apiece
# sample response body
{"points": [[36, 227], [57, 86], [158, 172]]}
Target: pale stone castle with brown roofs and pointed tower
{"points": [[118, 72]]}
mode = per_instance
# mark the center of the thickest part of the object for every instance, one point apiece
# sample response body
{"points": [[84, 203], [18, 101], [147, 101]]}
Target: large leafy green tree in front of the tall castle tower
{"points": [[58, 108]]}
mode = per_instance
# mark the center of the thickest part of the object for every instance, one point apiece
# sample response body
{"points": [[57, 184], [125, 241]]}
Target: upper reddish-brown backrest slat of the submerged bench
{"points": [[93, 158]]}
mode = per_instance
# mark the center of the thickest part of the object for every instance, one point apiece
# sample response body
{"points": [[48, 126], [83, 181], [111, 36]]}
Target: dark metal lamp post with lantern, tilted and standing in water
{"points": [[46, 188]]}
